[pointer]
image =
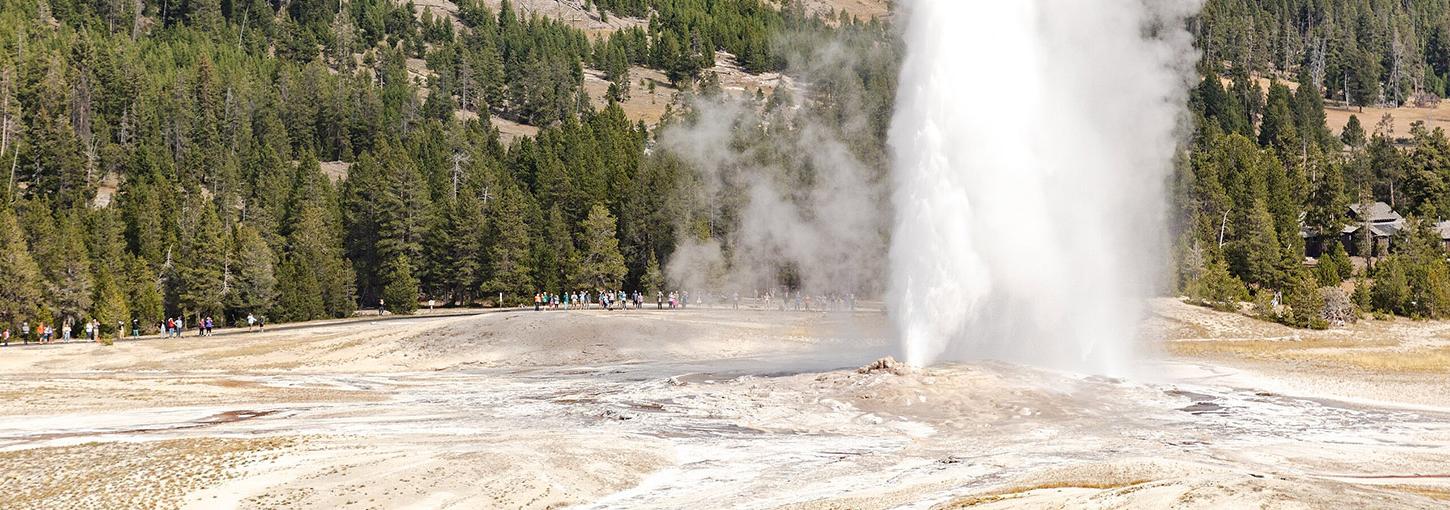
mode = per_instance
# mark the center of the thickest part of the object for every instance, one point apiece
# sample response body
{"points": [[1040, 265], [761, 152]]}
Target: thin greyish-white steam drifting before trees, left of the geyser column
{"points": [[798, 204]]}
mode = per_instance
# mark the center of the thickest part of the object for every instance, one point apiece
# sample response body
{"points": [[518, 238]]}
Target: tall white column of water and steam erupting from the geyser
{"points": [[1032, 147]]}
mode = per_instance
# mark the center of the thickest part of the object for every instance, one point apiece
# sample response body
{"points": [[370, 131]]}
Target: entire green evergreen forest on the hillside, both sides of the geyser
{"points": [[301, 160]]}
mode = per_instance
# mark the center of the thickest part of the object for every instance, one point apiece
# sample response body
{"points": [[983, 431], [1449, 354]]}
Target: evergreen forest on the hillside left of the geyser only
{"points": [[223, 159]]}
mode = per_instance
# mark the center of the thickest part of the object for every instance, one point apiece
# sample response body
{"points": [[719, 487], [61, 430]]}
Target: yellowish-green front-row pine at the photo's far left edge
{"points": [[21, 293]]}
